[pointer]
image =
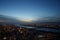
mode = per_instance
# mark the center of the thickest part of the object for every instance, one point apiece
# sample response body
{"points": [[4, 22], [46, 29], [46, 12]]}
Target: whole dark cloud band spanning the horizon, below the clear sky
{"points": [[46, 20]]}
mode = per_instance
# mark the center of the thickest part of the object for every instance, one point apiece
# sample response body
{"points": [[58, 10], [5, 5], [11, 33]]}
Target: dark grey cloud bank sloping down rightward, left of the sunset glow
{"points": [[10, 20]]}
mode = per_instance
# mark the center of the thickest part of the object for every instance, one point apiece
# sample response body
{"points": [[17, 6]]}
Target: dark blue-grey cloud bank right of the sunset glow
{"points": [[48, 20]]}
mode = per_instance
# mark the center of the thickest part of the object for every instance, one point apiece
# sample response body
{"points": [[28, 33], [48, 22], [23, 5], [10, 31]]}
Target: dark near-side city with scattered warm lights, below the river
{"points": [[12, 32]]}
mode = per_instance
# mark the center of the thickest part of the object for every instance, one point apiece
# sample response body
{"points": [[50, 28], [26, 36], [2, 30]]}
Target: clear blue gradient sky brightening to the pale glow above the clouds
{"points": [[30, 9]]}
